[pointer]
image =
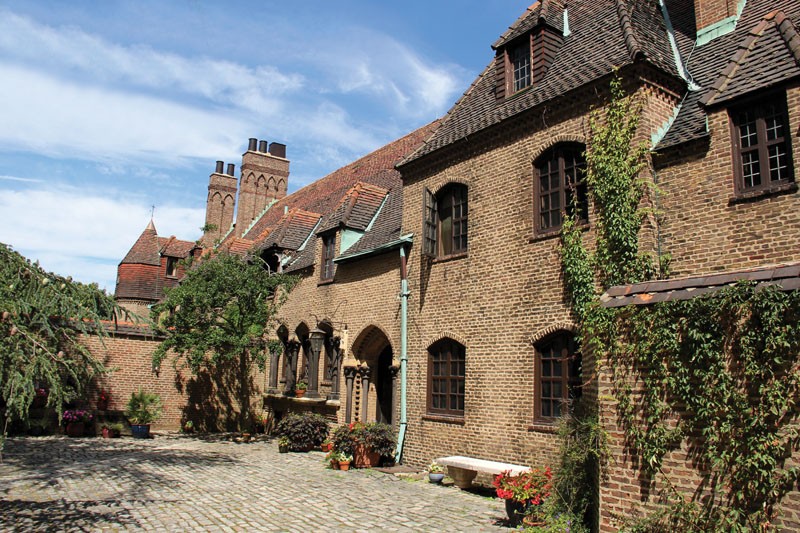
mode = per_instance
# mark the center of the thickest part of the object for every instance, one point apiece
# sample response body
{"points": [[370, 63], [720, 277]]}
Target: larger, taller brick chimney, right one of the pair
{"points": [[265, 174]]}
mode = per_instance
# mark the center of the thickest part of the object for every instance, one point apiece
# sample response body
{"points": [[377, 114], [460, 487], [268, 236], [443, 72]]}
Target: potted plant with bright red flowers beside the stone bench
{"points": [[524, 493]]}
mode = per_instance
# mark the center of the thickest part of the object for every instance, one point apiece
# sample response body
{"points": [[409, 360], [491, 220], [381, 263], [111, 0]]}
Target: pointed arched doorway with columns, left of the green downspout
{"points": [[373, 391]]}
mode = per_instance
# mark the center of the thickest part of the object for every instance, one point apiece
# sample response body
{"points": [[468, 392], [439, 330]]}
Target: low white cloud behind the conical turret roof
{"points": [[85, 235]]}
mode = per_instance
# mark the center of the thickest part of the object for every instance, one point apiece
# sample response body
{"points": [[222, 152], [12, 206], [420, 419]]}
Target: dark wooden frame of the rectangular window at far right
{"points": [[760, 108]]}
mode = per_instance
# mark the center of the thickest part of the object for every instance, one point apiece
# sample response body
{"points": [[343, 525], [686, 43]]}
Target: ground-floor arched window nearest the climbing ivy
{"points": [[558, 374]]}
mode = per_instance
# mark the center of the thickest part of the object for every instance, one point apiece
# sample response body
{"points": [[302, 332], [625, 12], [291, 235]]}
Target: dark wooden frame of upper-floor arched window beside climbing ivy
{"points": [[566, 191]]}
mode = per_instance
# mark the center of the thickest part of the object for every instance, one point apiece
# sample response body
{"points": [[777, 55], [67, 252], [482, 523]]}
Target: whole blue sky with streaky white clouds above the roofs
{"points": [[109, 108]]}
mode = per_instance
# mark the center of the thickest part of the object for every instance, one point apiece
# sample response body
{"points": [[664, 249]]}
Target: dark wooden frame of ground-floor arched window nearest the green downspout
{"points": [[449, 348]]}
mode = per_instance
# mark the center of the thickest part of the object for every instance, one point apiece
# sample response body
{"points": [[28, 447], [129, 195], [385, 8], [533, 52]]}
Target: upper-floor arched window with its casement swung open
{"points": [[446, 221]]}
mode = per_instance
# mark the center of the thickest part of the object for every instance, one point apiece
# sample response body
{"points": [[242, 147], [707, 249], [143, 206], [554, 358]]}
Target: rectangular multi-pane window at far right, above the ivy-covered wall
{"points": [[761, 144]]}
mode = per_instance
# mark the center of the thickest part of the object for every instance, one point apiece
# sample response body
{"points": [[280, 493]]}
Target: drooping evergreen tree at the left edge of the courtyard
{"points": [[42, 316]]}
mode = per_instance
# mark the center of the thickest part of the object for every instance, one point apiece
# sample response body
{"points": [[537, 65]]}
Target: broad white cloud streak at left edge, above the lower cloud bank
{"points": [[60, 119]]}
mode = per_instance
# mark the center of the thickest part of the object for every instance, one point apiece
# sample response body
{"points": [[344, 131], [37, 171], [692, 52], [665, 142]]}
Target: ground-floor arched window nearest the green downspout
{"points": [[446, 373]]}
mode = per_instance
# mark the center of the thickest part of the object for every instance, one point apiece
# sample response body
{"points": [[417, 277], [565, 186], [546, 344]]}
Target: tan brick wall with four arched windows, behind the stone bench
{"points": [[500, 298]]}
